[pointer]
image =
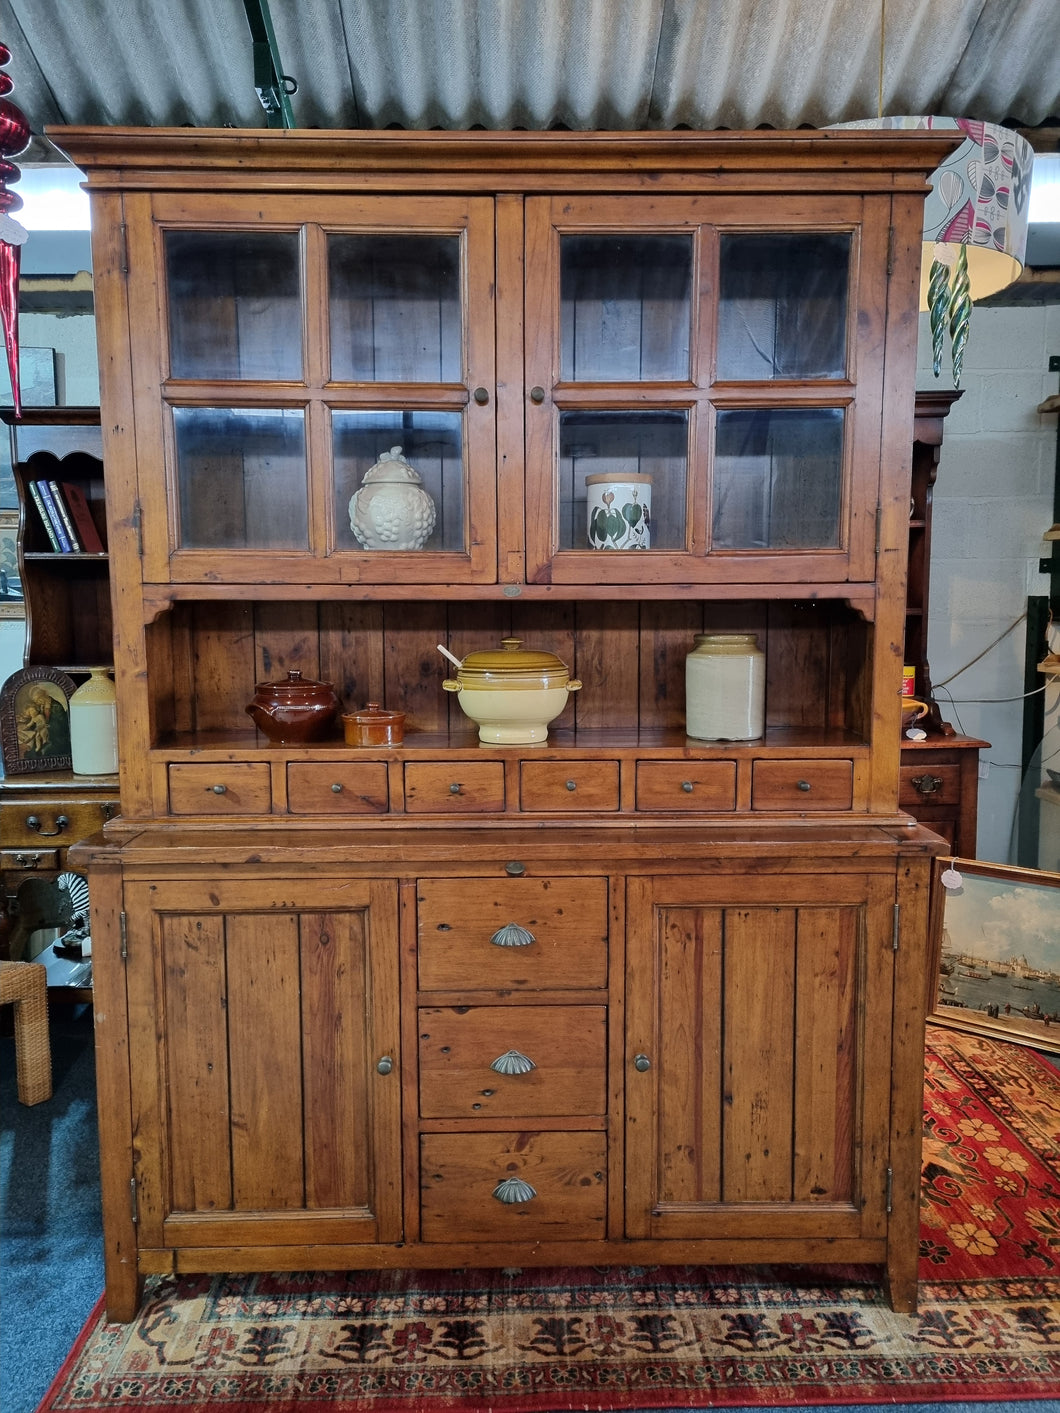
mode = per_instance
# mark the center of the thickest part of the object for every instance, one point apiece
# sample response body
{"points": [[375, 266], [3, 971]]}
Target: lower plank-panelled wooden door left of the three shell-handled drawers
{"points": [[264, 1027]]}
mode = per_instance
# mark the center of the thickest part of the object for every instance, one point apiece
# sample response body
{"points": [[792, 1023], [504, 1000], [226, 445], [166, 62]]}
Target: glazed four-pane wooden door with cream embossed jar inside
{"points": [[296, 344]]}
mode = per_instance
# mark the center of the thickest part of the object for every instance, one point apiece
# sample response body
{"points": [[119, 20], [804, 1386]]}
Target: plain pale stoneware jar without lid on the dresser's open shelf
{"points": [[726, 687]]}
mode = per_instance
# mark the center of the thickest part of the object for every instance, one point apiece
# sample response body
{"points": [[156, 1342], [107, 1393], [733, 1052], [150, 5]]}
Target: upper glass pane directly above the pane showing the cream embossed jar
{"points": [[395, 309]]}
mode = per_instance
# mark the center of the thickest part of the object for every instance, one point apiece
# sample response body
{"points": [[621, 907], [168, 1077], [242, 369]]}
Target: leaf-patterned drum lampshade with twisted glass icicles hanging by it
{"points": [[976, 223]]}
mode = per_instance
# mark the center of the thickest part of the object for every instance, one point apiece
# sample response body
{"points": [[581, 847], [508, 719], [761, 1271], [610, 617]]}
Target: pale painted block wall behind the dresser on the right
{"points": [[993, 502]]}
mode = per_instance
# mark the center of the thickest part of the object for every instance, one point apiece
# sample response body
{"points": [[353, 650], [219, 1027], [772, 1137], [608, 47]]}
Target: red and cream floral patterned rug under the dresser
{"points": [[526, 1342]]}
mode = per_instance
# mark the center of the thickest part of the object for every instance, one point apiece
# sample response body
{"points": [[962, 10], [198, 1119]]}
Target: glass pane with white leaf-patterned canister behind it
{"points": [[621, 447]]}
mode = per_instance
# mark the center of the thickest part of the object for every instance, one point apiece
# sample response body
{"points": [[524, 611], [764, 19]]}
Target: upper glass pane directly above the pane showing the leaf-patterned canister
{"points": [[625, 309]]}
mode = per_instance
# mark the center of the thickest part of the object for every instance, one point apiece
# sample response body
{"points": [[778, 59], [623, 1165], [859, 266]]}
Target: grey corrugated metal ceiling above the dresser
{"points": [[538, 64]]}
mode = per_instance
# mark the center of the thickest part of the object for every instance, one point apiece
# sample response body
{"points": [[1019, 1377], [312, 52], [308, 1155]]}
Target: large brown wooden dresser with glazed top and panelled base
{"points": [[624, 997]]}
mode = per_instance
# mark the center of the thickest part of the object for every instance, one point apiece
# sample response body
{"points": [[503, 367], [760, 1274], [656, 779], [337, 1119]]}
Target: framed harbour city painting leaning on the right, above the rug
{"points": [[997, 966]]}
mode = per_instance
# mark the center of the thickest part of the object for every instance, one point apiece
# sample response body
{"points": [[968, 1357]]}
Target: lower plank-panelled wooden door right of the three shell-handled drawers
{"points": [[757, 1069]]}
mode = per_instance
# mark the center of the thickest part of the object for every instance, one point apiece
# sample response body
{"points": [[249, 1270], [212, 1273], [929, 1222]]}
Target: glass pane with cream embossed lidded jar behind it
{"points": [[392, 511]]}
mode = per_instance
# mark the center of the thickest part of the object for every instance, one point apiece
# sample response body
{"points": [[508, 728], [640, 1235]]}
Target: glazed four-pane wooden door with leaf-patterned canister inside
{"points": [[705, 388]]}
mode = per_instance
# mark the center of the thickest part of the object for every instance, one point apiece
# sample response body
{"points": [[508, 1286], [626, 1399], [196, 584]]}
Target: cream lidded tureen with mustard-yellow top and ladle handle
{"points": [[512, 694]]}
